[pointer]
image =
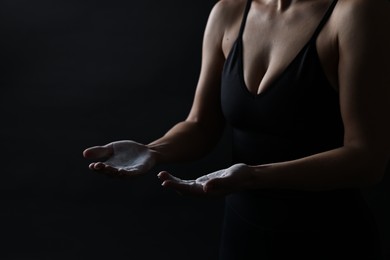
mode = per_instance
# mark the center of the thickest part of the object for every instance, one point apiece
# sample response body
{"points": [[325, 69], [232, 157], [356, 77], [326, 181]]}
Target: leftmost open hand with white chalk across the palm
{"points": [[122, 158]]}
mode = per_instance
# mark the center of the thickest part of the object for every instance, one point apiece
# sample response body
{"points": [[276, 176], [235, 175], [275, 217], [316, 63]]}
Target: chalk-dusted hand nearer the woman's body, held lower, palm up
{"points": [[235, 178]]}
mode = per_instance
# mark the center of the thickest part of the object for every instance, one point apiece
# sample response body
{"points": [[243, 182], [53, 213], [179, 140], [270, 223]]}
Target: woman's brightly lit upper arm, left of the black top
{"points": [[206, 108]]}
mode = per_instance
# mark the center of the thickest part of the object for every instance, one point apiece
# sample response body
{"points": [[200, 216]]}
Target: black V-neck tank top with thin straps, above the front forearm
{"points": [[296, 116]]}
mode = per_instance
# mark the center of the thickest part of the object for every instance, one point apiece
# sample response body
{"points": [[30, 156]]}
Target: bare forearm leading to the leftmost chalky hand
{"points": [[186, 141]]}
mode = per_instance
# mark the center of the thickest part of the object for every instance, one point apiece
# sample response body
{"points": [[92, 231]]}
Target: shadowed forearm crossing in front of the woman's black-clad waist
{"points": [[339, 168]]}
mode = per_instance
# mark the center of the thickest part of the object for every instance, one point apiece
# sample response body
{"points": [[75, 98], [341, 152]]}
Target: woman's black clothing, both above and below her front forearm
{"points": [[297, 116]]}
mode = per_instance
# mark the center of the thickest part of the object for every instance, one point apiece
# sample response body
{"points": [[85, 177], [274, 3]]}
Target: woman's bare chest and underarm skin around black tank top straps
{"points": [[273, 38]]}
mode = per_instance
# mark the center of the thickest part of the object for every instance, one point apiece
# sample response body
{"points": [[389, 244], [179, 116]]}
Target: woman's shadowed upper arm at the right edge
{"points": [[364, 75]]}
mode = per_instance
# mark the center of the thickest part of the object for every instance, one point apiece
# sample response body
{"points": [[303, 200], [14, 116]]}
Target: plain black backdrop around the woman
{"points": [[77, 73]]}
